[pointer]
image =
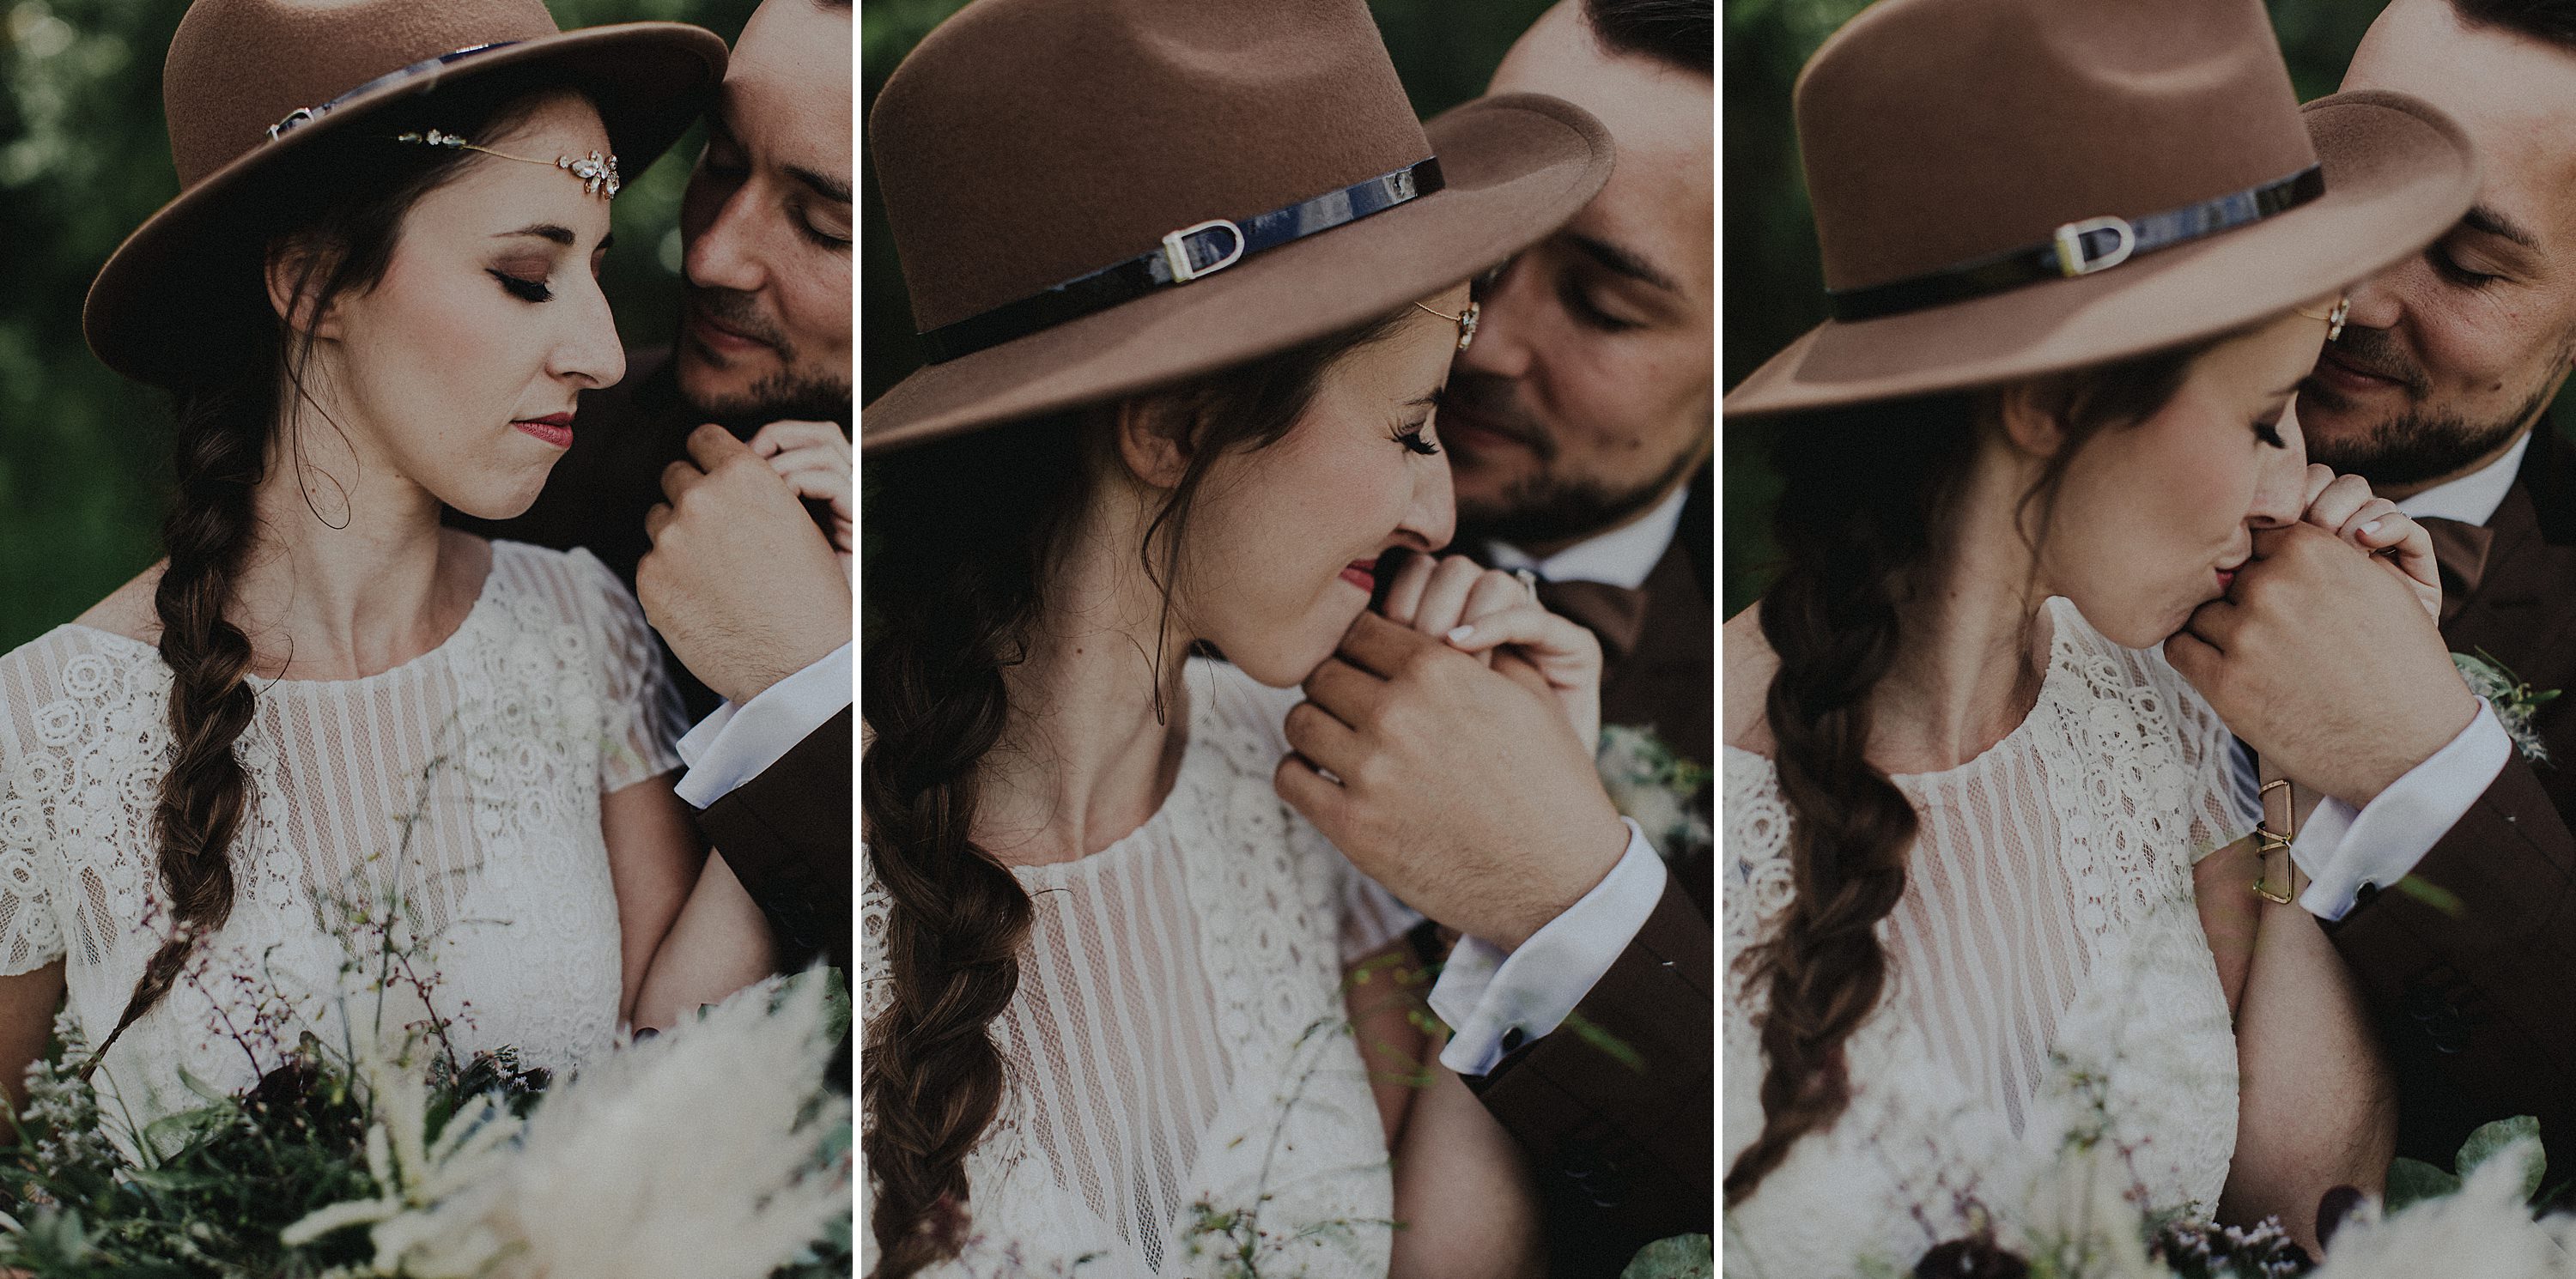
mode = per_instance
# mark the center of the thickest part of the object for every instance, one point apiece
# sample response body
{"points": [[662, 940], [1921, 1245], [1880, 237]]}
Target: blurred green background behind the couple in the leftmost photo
{"points": [[84, 161]]}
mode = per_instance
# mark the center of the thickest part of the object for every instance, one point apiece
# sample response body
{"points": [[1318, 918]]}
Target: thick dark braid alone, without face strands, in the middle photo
{"points": [[949, 619]]}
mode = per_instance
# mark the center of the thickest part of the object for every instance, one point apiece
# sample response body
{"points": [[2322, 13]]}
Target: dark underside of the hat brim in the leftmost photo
{"points": [[650, 84]]}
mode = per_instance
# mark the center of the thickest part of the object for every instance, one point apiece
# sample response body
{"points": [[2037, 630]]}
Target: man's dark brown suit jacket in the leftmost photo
{"points": [[787, 833]]}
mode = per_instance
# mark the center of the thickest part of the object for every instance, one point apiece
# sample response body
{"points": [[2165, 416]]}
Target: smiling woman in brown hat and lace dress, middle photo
{"points": [[1124, 1010]]}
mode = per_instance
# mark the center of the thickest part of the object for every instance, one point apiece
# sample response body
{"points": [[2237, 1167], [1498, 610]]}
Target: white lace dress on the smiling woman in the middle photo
{"points": [[1179, 1064]]}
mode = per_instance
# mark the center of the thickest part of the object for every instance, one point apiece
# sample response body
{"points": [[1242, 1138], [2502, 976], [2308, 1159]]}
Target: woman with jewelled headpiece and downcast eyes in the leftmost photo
{"points": [[331, 763]]}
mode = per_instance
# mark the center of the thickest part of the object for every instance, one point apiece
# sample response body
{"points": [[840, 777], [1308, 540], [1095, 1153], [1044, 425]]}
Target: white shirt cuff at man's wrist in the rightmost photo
{"points": [[2348, 851]]}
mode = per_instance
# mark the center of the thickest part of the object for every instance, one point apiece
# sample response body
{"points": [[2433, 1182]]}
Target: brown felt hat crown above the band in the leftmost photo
{"points": [[243, 66]]}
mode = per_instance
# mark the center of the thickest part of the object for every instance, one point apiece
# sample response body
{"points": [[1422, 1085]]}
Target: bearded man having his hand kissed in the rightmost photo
{"points": [[2443, 858]]}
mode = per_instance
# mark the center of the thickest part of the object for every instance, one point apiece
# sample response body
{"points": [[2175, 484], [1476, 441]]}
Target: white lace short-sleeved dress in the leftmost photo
{"points": [[450, 804]]}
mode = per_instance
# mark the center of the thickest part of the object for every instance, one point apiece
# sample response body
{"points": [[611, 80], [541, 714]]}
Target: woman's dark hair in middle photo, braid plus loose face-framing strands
{"points": [[962, 539]]}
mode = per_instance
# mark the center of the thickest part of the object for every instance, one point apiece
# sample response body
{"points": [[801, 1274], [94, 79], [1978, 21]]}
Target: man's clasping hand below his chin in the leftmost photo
{"points": [[741, 583]]}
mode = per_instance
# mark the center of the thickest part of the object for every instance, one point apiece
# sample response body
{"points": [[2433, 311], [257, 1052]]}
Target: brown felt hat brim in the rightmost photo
{"points": [[2397, 176]]}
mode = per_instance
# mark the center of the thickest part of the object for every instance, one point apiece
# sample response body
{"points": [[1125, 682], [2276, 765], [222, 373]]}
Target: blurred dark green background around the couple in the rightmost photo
{"points": [[1774, 287]]}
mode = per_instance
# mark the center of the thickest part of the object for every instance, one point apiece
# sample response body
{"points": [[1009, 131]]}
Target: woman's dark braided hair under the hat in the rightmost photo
{"points": [[1864, 506]]}
